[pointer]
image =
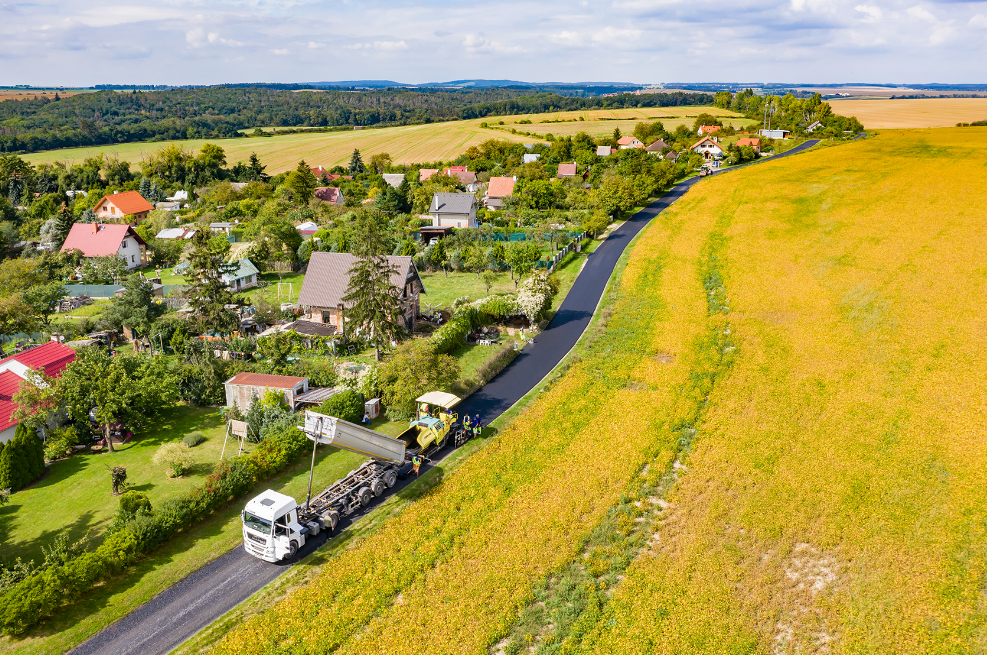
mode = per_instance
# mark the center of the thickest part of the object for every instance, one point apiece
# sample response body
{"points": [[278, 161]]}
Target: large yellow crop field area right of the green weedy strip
{"points": [[835, 493]]}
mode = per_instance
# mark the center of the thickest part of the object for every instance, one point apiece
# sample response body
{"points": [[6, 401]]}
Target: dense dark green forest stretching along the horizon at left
{"points": [[108, 117]]}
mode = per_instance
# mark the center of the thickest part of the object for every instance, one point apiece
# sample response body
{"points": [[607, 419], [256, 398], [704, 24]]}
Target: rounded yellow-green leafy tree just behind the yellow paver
{"points": [[415, 368]]}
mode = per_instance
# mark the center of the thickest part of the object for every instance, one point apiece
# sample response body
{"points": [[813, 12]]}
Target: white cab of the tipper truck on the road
{"points": [[271, 530]]}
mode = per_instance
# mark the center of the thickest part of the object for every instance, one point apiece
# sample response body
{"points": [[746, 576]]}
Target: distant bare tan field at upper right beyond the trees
{"points": [[918, 113]]}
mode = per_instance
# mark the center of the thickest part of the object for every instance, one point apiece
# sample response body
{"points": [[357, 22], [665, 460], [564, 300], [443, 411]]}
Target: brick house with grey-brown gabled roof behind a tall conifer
{"points": [[328, 278]]}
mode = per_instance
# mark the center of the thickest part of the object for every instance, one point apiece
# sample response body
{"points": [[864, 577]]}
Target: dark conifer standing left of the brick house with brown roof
{"points": [[207, 293]]}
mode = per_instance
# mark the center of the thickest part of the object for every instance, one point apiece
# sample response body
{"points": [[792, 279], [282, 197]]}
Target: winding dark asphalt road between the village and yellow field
{"points": [[174, 615]]}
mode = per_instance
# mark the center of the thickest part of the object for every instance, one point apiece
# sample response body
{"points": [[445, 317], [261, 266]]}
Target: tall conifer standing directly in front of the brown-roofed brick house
{"points": [[373, 301]]}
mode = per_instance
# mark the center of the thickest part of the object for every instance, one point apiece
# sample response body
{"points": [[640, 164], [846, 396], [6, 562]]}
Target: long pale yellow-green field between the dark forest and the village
{"points": [[406, 145]]}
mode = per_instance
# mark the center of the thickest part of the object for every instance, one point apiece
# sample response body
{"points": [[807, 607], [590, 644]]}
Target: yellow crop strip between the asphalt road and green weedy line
{"points": [[466, 554]]}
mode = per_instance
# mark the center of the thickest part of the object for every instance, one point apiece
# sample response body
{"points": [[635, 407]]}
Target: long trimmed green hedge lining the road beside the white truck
{"points": [[41, 594]]}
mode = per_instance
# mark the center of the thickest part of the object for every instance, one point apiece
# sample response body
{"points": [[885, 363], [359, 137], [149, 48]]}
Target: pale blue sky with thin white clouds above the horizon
{"points": [[85, 42]]}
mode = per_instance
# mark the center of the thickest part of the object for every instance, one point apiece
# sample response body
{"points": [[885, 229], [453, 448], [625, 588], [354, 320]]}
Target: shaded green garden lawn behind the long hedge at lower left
{"points": [[38, 513]]}
